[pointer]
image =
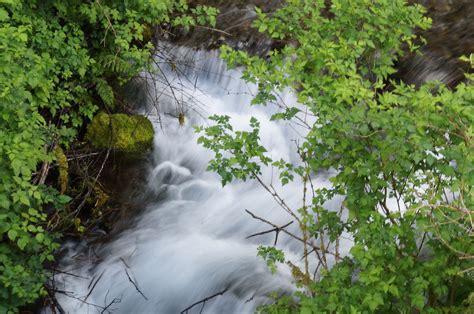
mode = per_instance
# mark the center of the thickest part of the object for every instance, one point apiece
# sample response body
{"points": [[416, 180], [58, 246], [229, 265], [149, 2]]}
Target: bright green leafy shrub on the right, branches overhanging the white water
{"points": [[387, 142]]}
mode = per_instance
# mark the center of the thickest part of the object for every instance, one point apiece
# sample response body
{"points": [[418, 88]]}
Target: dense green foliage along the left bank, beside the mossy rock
{"points": [[60, 62]]}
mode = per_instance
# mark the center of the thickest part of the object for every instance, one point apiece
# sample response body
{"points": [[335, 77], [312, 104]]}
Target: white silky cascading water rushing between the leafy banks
{"points": [[190, 243]]}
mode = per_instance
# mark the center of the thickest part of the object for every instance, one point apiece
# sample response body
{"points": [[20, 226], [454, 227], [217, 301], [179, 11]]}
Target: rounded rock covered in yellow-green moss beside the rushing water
{"points": [[132, 135]]}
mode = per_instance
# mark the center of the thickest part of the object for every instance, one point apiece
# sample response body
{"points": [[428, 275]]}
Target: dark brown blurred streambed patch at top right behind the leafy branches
{"points": [[450, 37]]}
